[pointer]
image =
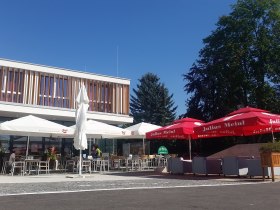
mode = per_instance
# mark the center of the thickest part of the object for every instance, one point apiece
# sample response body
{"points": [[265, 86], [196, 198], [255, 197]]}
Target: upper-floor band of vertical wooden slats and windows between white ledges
{"points": [[35, 89]]}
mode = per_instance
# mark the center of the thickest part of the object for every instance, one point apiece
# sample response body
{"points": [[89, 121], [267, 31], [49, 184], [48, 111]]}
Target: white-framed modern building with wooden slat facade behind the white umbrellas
{"points": [[50, 93]]}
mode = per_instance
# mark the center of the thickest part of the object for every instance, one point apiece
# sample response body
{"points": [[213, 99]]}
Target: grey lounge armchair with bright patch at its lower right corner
{"points": [[235, 166]]}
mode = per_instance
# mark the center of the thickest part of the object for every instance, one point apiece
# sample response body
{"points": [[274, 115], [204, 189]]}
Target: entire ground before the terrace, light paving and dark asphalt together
{"points": [[136, 191]]}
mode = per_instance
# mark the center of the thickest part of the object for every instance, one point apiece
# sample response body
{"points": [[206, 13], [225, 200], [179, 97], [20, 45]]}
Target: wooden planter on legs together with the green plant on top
{"points": [[270, 156]]}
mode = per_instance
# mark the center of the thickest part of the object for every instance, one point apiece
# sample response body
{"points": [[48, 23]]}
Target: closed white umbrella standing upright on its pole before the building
{"points": [[80, 138]]}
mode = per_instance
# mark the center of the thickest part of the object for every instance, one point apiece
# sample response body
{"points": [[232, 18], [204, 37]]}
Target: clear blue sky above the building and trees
{"points": [[159, 36]]}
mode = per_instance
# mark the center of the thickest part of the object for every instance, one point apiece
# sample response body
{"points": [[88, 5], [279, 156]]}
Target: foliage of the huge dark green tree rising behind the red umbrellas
{"points": [[239, 64]]}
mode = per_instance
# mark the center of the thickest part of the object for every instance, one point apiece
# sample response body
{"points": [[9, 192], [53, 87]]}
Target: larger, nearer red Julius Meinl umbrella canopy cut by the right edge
{"points": [[245, 121]]}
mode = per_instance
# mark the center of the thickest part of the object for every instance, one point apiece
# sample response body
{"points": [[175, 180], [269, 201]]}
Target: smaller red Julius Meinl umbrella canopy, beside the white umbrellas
{"points": [[179, 129]]}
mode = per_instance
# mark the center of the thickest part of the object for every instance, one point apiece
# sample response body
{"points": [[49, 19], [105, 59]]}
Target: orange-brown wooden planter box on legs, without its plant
{"points": [[270, 159]]}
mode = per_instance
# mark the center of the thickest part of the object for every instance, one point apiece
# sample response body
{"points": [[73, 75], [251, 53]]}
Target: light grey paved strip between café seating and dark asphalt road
{"points": [[60, 183]]}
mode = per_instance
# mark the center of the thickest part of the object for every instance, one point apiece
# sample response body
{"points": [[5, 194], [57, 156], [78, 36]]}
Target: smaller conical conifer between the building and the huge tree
{"points": [[151, 102]]}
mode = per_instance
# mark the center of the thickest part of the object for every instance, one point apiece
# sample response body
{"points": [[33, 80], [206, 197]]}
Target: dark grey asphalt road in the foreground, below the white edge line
{"points": [[252, 196]]}
